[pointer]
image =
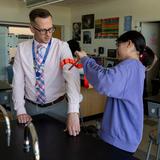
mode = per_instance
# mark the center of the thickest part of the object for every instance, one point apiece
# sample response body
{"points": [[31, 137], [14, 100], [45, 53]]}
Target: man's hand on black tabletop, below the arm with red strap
{"points": [[73, 124]]}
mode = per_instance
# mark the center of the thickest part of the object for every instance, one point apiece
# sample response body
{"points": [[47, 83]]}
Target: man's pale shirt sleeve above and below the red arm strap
{"points": [[72, 78]]}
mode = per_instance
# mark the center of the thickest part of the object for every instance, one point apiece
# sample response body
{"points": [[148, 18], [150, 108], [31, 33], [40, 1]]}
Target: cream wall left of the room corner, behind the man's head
{"points": [[16, 11]]}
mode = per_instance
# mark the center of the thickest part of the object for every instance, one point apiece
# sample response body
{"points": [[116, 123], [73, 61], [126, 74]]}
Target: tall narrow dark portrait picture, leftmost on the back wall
{"points": [[76, 31]]}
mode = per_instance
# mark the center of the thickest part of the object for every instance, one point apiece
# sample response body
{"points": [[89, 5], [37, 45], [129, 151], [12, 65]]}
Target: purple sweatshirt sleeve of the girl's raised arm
{"points": [[110, 82]]}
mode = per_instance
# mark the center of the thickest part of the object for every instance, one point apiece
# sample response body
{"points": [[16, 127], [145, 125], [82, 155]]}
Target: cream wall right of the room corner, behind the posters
{"points": [[140, 10]]}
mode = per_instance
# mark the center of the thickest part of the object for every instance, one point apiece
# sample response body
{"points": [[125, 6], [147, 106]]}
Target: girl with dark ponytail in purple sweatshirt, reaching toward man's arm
{"points": [[123, 84]]}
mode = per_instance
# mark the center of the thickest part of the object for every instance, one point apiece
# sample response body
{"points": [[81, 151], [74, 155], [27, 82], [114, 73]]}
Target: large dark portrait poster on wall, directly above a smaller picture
{"points": [[88, 21]]}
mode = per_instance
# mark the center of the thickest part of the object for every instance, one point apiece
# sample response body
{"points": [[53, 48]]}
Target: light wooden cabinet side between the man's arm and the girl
{"points": [[93, 103]]}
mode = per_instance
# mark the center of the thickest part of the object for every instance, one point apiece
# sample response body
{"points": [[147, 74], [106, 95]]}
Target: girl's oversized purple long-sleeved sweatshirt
{"points": [[122, 123]]}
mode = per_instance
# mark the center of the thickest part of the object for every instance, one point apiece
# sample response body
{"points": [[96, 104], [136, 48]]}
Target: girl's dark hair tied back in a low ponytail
{"points": [[146, 54]]}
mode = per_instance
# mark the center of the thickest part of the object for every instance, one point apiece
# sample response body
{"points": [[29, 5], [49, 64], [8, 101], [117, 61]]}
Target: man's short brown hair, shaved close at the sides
{"points": [[39, 12]]}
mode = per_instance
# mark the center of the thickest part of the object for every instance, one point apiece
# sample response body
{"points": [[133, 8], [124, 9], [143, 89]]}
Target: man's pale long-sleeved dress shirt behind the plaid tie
{"points": [[58, 81]]}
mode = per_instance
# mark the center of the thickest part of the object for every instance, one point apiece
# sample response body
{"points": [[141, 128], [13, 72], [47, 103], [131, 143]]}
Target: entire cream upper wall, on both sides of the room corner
{"points": [[141, 10]]}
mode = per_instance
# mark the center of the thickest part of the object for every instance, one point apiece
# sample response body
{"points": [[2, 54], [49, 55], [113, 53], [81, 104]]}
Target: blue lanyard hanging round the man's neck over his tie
{"points": [[44, 59]]}
